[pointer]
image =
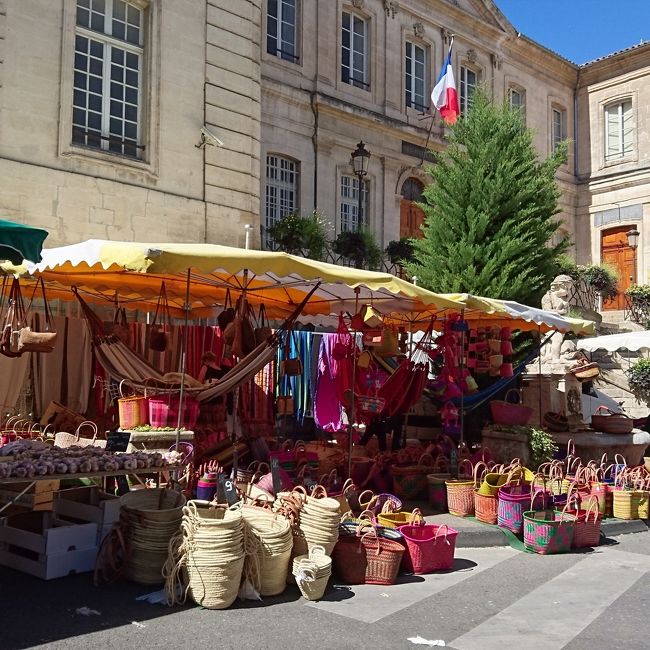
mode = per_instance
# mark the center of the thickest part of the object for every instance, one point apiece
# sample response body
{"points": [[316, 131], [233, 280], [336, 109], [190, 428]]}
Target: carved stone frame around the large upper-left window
{"points": [[147, 166]]}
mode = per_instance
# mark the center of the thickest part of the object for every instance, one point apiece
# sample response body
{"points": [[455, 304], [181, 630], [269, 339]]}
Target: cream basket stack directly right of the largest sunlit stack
{"points": [[268, 542]]}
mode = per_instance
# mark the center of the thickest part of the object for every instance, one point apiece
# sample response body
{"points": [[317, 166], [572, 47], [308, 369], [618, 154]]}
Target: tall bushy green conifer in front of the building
{"points": [[490, 210]]}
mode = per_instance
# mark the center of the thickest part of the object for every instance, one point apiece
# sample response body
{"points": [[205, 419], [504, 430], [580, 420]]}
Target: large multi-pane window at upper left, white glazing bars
{"points": [[107, 96]]}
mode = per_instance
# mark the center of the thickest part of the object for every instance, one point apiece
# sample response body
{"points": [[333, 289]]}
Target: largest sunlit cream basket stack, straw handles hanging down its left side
{"points": [[207, 559]]}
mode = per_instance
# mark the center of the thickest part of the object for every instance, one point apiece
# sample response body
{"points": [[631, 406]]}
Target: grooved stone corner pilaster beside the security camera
{"points": [[233, 113]]}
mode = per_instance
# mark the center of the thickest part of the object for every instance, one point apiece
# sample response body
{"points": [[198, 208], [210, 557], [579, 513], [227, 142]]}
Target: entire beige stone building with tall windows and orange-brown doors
{"points": [[103, 102]]}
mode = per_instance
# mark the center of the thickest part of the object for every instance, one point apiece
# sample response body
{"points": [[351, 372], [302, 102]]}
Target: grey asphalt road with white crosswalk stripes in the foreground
{"points": [[496, 598]]}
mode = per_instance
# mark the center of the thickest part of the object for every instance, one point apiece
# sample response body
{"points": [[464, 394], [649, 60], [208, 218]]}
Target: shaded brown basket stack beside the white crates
{"points": [[148, 520]]}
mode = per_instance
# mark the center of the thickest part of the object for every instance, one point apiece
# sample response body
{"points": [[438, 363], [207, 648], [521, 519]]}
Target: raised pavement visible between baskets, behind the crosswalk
{"points": [[475, 534]]}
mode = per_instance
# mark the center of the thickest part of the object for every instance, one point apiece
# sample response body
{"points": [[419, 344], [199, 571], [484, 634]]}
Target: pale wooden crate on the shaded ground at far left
{"points": [[38, 544]]}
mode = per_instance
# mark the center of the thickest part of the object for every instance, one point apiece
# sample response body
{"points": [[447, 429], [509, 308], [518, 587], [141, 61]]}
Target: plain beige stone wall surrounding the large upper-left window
{"points": [[199, 65]]}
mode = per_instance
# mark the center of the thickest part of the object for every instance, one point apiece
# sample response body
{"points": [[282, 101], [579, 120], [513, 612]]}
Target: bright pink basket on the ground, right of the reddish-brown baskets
{"points": [[429, 547]]}
